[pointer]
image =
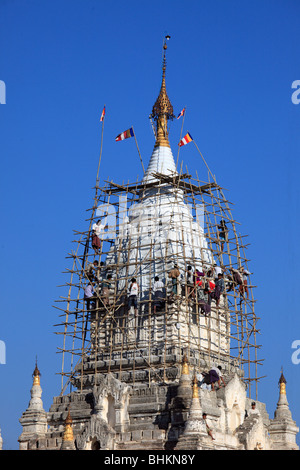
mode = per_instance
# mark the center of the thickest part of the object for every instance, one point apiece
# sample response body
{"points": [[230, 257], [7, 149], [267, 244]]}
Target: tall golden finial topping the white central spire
{"points": [[162, 110]]}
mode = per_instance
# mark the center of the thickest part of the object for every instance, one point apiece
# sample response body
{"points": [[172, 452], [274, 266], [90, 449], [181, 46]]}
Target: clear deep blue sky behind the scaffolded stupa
{"points": [[231, 64]]}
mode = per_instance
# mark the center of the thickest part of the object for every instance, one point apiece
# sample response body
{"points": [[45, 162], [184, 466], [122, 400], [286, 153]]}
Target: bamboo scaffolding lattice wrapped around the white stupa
{"points": [[227, 334]]}
